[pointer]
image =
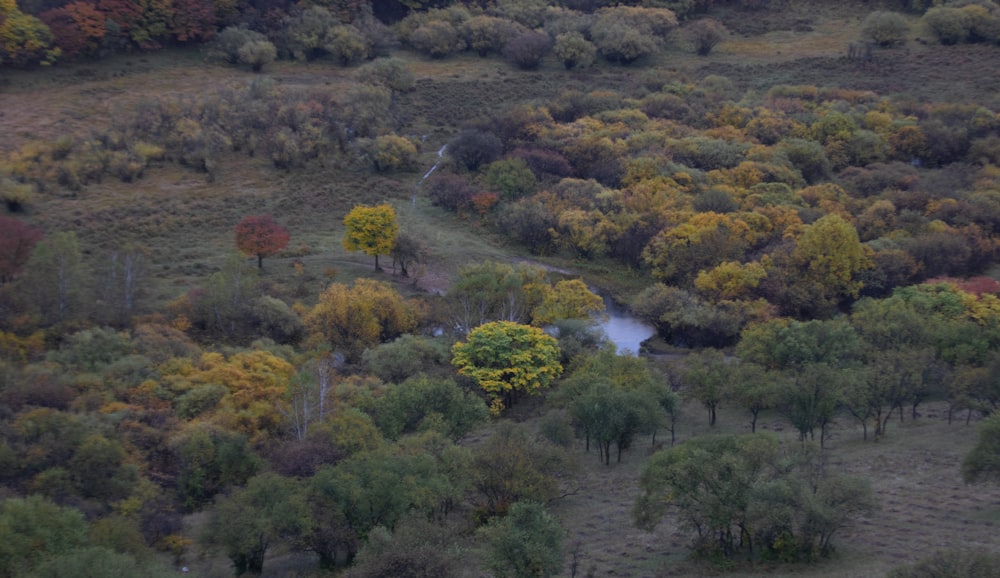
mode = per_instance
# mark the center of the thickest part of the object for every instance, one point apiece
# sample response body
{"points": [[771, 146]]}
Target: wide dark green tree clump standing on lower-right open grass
{"points": [[741, 495]]}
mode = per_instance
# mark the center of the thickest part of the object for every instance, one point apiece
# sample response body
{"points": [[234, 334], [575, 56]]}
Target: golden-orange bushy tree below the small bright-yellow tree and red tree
{"points": [[352, 319]]}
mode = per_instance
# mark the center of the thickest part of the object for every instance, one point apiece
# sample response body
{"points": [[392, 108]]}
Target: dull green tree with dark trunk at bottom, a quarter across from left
{"points": [[245, 524]]}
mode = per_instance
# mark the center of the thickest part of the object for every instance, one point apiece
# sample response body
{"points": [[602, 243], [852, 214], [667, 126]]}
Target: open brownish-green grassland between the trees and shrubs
{"points": [[187, 222]]}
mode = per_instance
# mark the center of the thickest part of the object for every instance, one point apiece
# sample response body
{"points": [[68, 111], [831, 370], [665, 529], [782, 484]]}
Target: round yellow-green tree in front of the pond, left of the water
{"points": [[507, 359]]}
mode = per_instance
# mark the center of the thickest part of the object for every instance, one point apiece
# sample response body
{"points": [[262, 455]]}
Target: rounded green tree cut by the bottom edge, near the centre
{"points": [[526, 543]]}
